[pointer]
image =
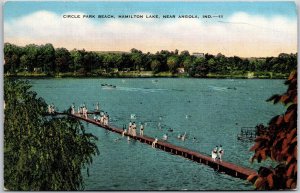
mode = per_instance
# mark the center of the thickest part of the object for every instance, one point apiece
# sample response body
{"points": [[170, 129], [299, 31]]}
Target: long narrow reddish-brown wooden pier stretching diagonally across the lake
{"points": [[220, 166]]}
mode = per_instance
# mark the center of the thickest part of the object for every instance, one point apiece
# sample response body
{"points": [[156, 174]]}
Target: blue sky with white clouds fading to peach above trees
{"points": [[247, 29]]}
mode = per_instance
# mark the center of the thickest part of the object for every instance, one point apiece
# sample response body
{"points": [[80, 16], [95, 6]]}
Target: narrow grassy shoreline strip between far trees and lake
{"points": [[150, 74]]}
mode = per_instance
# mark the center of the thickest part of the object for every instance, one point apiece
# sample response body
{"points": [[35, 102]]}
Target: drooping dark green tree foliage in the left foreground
{"points": [[41, 153]]}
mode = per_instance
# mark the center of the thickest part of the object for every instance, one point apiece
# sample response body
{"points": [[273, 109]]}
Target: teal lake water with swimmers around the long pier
{"points": [[211, 110]]}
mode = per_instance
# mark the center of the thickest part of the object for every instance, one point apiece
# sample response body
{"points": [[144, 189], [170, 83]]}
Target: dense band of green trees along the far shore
{"points": [[51, 61]]}
